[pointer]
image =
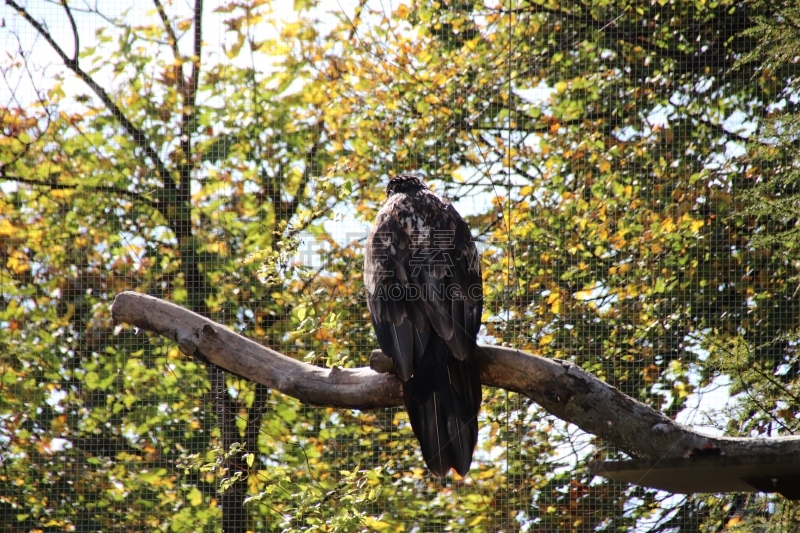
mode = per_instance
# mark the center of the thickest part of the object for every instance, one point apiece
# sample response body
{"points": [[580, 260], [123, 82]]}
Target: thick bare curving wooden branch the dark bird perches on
{"points": [[561, 388]]}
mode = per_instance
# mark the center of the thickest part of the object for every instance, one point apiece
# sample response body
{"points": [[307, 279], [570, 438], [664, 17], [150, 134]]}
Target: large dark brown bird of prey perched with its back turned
{"points": [[424, 292]]}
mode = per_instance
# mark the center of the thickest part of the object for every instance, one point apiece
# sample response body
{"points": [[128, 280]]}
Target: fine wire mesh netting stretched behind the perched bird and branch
{"points": [[628, 171]]}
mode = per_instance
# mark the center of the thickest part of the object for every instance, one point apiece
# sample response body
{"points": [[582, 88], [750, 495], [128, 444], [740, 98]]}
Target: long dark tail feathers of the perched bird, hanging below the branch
{"points": [[443, 399]]}
